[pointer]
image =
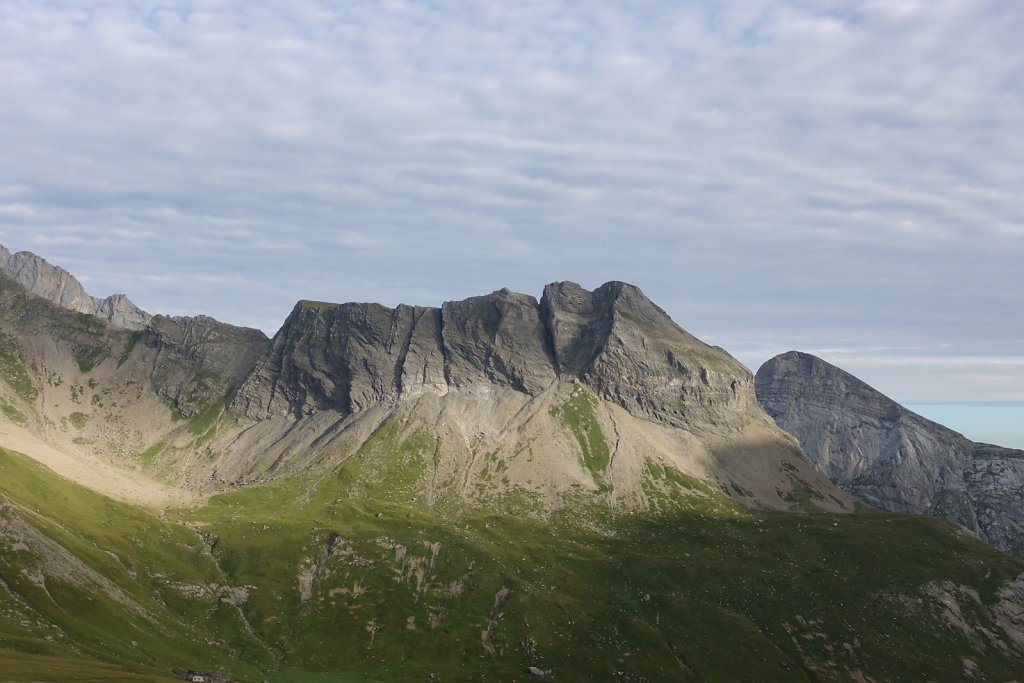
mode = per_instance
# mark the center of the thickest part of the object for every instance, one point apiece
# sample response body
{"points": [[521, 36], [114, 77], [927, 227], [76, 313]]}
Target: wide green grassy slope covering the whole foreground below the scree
{"points": [[353, 579]]}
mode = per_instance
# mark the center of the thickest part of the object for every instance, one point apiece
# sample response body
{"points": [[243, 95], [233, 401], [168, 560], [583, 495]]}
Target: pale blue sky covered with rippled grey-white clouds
{"points": [[841, 178]]}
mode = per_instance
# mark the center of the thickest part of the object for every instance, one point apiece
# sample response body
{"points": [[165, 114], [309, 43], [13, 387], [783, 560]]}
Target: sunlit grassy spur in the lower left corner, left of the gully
{"points": [[160, 568]]}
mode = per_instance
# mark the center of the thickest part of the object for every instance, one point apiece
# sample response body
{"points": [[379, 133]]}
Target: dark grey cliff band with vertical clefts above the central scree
{"points": [[347, 358]]}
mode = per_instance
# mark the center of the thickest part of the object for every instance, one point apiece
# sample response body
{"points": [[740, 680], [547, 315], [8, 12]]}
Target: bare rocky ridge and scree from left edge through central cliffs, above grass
{"points": [[579, 395]]}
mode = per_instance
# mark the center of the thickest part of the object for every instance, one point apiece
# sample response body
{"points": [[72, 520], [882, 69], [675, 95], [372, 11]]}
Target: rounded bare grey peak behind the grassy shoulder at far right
{"points": [[890, 457]]}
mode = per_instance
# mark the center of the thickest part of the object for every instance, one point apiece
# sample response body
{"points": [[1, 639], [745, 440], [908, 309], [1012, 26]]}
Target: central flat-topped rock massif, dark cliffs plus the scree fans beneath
{"points": [[582, 392]]}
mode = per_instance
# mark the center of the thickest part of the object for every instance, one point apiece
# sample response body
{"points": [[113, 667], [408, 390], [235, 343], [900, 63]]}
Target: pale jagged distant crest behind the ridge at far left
{"points": [[59, 286]]}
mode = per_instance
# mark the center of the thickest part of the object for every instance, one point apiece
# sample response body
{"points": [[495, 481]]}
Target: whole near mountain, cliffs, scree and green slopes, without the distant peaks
{"points": [[498, 489]]}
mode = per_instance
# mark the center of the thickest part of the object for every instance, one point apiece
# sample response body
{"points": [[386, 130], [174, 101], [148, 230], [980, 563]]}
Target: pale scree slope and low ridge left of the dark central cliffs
{"points": [[91, 399]]}
